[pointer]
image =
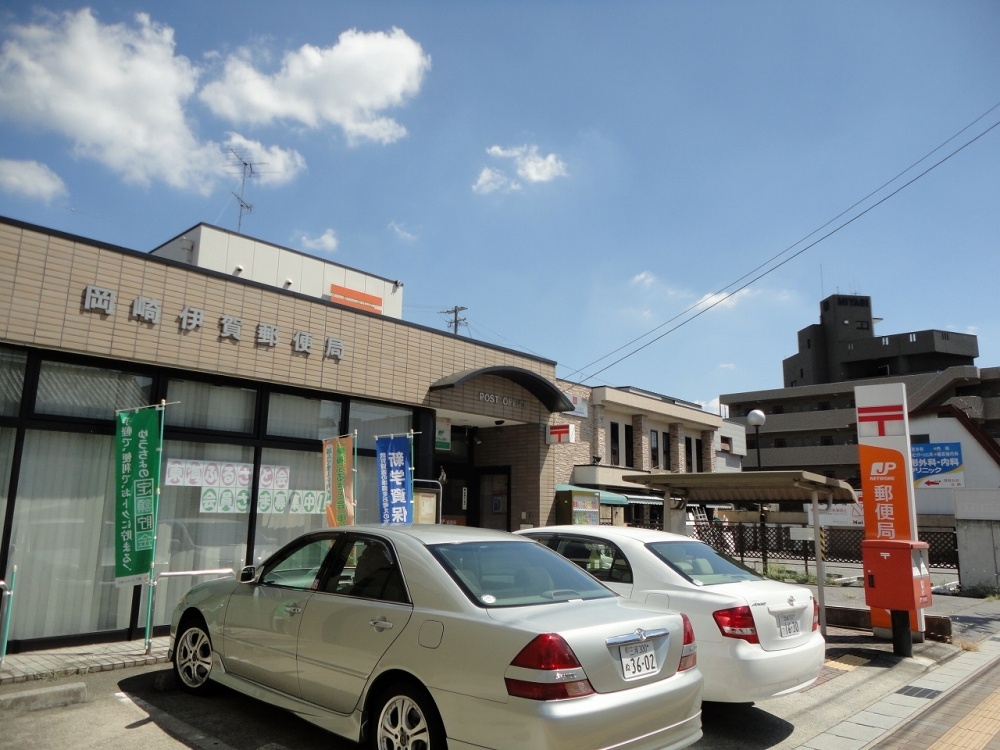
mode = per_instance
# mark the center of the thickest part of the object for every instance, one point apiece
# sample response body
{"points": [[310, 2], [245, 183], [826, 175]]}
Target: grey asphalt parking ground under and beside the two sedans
{"points": [[142, 709]]}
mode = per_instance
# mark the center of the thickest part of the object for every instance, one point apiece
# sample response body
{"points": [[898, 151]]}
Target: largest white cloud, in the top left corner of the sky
{"points": [[116, 92]]}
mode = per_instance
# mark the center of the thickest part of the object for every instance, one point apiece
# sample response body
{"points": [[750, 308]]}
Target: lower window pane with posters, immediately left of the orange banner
{"points": [[291, 499]]}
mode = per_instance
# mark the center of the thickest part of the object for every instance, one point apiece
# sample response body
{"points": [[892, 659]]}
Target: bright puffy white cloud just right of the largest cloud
{"points": [[348, 85]]}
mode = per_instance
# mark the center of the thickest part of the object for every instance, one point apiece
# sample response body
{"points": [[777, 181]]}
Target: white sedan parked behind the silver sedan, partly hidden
{"points": [[757, 638]]}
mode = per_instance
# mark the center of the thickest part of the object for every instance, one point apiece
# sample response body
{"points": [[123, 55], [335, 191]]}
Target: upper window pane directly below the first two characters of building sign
{"points": [[76, 391]]}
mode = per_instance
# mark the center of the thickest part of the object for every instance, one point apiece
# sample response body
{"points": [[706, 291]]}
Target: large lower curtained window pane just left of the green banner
{"points": [[63, 538]]}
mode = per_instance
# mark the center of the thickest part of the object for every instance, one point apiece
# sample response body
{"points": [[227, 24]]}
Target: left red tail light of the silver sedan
{"points": [[559, 673]]}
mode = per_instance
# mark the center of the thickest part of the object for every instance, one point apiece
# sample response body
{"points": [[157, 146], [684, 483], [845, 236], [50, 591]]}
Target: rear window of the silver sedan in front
{"points": [[513, 574]]}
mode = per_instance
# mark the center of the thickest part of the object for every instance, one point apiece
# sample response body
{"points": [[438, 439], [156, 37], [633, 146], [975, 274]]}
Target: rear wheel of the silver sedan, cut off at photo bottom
{"points": [[407, 720]]}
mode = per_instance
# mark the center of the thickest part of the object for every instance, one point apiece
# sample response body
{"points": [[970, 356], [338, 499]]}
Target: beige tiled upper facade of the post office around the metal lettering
{"points": [[42, 283]]}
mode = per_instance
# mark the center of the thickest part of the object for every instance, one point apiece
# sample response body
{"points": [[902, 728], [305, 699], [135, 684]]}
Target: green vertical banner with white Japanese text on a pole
{"points": [[137, 475]]}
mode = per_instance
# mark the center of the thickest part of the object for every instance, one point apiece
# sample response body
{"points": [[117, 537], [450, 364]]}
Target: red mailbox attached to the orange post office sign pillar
{"points": [[896, 571]]}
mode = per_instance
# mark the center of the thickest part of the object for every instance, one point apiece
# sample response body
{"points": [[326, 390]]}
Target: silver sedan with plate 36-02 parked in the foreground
{"points": [[427, 637]]}
